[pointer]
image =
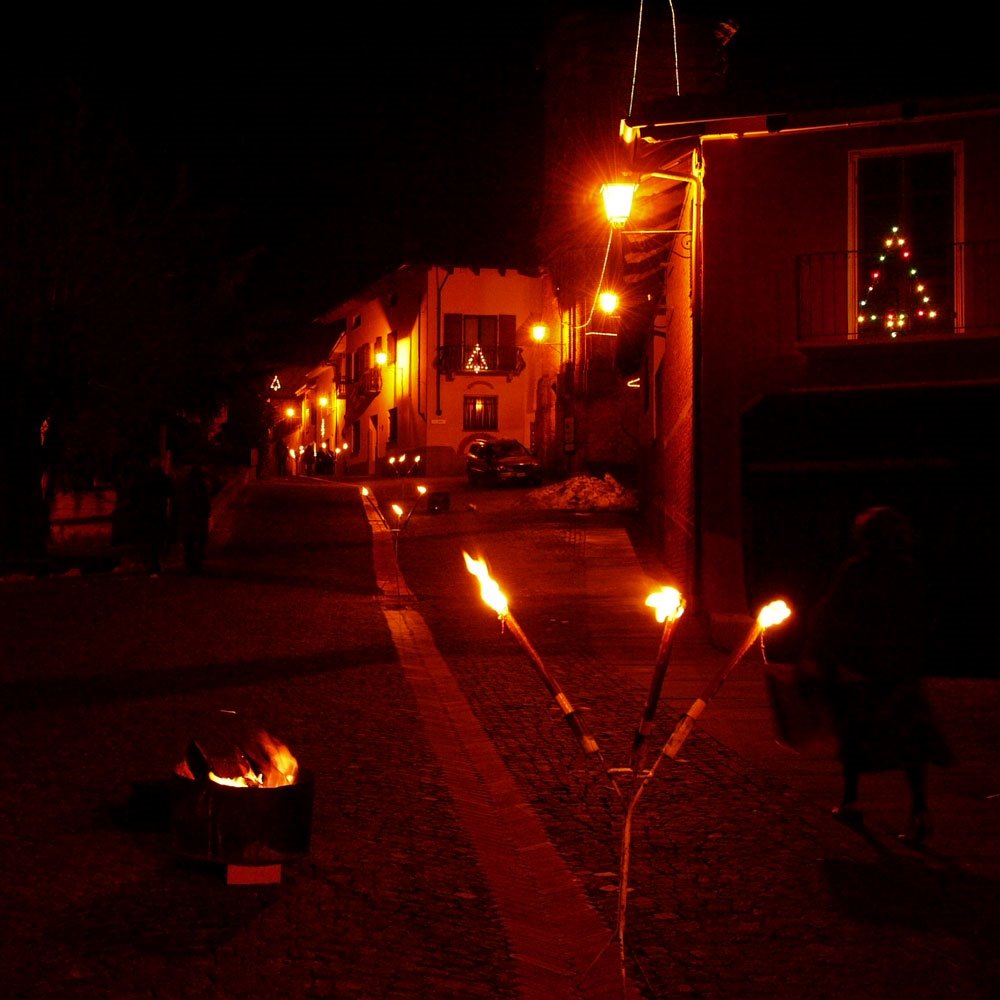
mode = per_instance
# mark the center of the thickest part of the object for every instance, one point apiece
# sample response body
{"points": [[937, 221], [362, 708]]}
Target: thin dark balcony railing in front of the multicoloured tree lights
{"points": [[963, 284]]}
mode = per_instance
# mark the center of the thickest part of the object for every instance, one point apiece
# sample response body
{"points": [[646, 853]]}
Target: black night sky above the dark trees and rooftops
{"points": [[345, 140]]}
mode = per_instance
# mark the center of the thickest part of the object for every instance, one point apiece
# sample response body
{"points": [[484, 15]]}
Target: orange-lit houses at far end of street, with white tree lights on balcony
{"points": [[427, 358]]}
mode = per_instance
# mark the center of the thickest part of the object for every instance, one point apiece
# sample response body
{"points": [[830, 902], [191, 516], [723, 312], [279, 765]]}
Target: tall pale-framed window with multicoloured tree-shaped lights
{"points": [[906, 242]]}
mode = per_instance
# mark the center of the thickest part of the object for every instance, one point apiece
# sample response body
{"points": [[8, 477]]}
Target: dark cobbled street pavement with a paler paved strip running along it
{"points": [[463, 844]]}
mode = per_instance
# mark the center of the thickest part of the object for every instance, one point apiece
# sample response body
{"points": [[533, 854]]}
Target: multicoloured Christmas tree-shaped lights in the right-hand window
{"points": [[897, 300]]}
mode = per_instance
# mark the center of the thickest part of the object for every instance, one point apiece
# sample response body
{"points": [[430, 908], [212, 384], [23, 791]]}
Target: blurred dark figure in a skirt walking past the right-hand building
{"points": [[868, 636]]}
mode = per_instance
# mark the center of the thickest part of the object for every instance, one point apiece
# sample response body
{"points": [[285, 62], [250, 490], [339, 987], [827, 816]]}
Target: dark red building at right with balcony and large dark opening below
{"points": [[834, 343]]}
